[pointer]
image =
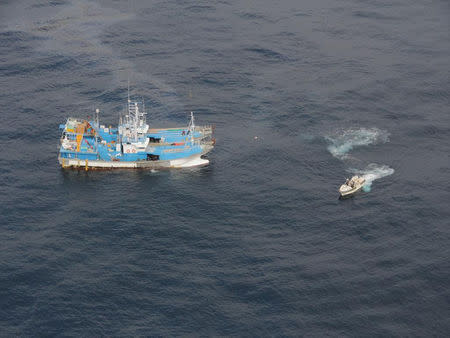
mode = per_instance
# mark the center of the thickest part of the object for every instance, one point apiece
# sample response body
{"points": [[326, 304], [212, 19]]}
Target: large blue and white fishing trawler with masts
{"points": [[87, 144]]}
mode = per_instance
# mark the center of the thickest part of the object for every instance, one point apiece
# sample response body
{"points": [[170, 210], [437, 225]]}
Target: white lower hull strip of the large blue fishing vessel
{"points": [[188, 162]]}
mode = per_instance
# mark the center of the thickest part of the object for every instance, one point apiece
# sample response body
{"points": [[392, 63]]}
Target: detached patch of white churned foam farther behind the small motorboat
{"points": [[343, 142]]}
